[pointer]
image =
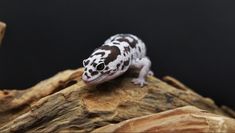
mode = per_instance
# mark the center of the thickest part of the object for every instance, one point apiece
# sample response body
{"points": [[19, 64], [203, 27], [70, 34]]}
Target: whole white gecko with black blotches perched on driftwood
{"points": [[119, 53]]}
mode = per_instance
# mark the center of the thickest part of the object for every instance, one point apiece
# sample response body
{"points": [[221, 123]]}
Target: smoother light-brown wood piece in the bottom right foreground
{"points": [[188, 119]]}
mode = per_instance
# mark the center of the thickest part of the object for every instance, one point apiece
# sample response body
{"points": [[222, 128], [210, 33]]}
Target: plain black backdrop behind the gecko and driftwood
{"points": [[190, 40]]}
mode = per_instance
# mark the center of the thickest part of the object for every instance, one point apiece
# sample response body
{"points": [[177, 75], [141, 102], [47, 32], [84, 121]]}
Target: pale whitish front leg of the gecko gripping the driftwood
{"points": [[144, 65]]}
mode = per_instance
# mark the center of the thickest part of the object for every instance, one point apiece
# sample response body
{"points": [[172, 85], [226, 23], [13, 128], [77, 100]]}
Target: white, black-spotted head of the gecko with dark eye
{"points": [[95, 71]]}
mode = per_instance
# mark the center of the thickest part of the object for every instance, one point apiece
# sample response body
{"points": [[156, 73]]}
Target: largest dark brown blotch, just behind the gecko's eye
{"points": [[115, 51]]}
